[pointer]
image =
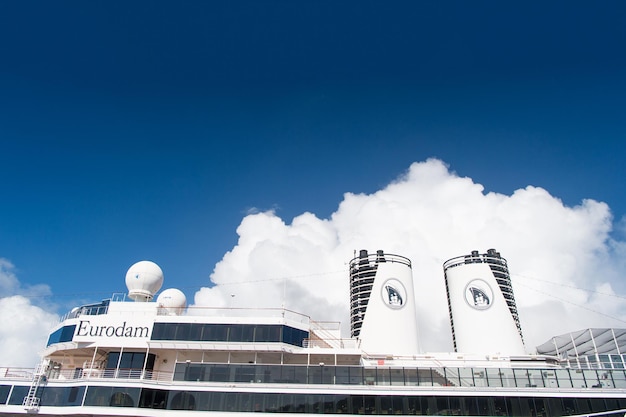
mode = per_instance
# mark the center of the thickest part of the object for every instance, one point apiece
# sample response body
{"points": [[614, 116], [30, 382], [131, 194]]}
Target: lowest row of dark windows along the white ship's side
{"points": [[312, 403]]}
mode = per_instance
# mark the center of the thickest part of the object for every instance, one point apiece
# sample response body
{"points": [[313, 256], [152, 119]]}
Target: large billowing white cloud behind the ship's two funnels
{"points": [[563, 261]]}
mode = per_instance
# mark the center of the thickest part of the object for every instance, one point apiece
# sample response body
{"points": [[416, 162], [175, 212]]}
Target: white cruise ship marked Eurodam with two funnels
{"points": [[146, 353]]}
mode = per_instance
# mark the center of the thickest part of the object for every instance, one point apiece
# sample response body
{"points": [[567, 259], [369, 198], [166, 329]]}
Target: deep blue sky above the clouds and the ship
{"points": [[149, 130]]}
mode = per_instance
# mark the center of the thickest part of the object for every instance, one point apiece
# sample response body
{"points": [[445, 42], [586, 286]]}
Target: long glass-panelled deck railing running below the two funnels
{"points": [[407, 376]]}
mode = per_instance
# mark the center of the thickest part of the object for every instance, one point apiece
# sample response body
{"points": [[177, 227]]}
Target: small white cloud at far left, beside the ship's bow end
{"points": [[25, 325]]}
